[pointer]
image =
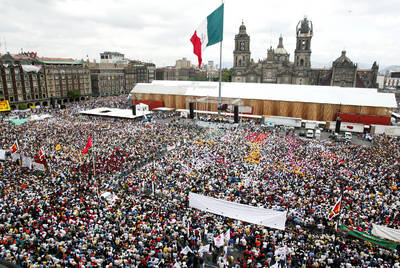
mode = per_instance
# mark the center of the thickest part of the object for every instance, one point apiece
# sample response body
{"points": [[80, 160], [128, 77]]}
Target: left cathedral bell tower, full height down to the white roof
{"points": [[241, 55]]}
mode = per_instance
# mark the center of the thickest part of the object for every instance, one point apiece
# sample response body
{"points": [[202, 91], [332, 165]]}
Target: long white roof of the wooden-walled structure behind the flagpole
{"points": [[279, 92]]}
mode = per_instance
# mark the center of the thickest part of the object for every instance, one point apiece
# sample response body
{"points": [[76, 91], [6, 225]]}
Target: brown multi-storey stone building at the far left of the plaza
{"points": [[26, 79]]}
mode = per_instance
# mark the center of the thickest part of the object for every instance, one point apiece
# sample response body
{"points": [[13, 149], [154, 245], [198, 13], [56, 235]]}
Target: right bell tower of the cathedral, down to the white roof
{"points": [[302, 53]]}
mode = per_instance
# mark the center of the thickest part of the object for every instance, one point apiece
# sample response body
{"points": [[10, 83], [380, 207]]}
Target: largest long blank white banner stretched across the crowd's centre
{"points": [[261, 216]]}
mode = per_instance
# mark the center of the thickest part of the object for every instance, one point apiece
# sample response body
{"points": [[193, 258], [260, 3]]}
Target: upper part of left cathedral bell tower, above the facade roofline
{"points": [[241, 54]]}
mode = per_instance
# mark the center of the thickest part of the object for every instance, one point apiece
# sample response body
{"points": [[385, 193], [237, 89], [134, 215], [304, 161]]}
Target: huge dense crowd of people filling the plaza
{"points": [[62, 218]]}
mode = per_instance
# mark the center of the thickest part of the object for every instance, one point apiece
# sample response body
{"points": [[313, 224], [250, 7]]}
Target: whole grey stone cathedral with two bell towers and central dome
{"points": [[277, 67]]}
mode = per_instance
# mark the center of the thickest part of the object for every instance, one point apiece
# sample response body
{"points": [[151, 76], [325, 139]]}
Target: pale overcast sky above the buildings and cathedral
{"points": [[159, 30]]}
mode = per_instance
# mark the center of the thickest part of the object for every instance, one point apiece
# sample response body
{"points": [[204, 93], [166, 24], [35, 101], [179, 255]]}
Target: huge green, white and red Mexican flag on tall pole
{"points": [[209, 32]]}
